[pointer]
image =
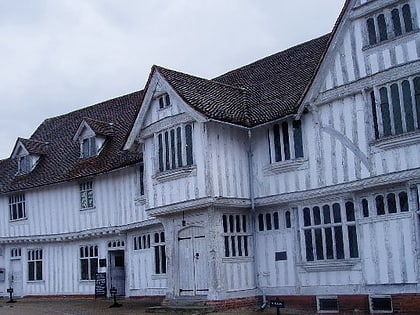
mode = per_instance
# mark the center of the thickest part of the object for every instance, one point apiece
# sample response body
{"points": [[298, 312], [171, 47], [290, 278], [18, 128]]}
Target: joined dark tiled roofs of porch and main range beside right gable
{"points": [[266, 90]]}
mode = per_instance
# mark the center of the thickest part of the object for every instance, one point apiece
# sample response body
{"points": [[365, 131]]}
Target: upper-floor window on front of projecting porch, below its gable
{"points": [[175, 148]]}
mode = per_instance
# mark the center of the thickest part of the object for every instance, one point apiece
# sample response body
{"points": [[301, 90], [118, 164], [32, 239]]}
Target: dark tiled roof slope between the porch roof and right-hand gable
{"points": [[276, 84]]}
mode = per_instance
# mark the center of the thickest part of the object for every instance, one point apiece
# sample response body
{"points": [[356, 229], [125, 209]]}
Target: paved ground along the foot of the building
{"points": [[90, 306]]}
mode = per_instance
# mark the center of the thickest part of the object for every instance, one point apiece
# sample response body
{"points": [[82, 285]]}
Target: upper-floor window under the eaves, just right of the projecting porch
{"points": [[285, 141]]}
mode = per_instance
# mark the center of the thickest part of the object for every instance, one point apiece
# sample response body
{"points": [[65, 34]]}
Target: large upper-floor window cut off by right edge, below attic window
{"points": [[396, 107]]}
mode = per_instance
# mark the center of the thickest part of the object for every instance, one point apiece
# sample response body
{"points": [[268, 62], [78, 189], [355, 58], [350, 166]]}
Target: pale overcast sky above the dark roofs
{"points": [[57, 56]]}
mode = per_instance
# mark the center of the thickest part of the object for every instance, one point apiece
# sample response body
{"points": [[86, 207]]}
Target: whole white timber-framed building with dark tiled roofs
{"points": [[296, 176]]}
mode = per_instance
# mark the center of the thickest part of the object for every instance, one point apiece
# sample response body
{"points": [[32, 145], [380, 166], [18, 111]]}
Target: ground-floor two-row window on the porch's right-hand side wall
{"points": [[237, 238]]}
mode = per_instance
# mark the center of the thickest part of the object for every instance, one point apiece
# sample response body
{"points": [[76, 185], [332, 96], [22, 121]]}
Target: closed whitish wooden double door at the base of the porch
{"points": [[193, 262]]}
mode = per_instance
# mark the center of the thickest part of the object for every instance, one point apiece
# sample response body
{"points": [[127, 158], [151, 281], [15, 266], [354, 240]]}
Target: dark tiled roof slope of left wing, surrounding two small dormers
{"points": [[61, 161]]}
